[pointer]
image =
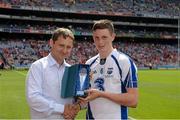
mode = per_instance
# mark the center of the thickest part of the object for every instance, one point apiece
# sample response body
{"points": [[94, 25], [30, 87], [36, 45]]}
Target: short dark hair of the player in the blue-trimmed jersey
{"points": [[103, 24]]}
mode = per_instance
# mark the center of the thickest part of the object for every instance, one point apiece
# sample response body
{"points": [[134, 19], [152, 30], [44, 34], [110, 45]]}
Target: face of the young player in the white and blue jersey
{"points": [[103, 40]]}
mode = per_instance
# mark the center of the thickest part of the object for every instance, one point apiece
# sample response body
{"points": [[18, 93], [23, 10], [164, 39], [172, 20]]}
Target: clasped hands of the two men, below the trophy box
{"points": [[70, 111]]}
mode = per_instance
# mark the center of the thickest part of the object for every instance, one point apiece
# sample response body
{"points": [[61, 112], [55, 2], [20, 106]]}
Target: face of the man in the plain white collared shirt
{"points": [[61, 48]]}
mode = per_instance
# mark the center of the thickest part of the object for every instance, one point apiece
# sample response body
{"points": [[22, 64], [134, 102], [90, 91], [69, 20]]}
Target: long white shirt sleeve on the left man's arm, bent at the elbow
{"points": [[35, 98]]}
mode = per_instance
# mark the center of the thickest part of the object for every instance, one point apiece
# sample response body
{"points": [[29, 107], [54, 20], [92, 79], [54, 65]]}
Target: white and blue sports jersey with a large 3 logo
{"points": [[118, 73]]}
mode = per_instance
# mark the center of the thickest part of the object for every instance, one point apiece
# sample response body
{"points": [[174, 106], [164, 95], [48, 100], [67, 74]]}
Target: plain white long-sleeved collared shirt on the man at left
{"points": [[44, 89]]}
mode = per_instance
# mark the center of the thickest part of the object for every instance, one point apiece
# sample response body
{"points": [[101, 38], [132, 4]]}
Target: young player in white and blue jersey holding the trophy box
{"points": [[114, 77]]}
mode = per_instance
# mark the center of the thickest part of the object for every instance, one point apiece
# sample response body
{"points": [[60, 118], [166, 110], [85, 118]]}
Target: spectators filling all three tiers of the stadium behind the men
{"points": [[21, 53]]}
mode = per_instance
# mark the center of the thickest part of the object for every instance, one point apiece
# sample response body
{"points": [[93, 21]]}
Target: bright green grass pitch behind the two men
{"points": [[159, 95]]}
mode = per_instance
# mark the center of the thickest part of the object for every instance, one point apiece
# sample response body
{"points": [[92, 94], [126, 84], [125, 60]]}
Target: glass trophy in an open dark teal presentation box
{"points": [[75, 81]]}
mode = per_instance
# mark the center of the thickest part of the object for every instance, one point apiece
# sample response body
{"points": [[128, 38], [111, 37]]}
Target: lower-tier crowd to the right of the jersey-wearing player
{"points": [[150, 54]]}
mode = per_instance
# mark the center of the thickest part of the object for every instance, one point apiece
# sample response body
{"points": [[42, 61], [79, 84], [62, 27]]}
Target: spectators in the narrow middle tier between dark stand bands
{"points": [[47, 29]]}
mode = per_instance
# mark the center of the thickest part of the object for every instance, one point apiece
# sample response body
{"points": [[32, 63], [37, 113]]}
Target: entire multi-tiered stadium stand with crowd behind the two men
{"points": [[147, 30]]}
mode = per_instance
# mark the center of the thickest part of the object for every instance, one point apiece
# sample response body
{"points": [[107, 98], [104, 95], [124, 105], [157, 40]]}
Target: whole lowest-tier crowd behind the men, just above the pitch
{"points": [[21, 53]]}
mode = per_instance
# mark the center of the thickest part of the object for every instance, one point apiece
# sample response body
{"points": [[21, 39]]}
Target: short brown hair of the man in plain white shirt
{"points": [[62, 32]]}
